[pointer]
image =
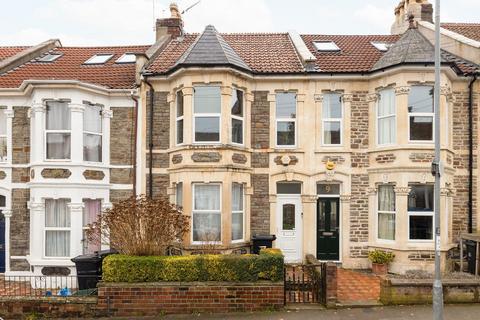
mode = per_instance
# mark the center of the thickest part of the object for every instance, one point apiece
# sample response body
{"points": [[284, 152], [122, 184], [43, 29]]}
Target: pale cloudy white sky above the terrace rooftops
{"points": [[120, 22]]}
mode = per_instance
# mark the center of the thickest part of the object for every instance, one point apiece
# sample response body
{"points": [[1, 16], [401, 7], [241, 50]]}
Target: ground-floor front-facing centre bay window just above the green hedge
{"points": [[206, 212]]}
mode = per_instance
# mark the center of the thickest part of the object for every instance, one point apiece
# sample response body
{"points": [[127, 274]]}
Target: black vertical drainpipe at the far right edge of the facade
{"points": [[470, 154]]}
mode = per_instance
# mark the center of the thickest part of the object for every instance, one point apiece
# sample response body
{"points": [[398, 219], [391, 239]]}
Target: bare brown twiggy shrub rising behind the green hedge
{"points": [[140, 226]]}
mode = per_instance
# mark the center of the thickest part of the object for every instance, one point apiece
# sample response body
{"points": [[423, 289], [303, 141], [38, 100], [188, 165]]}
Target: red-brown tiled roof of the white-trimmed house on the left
{"points": [[70, 66]]}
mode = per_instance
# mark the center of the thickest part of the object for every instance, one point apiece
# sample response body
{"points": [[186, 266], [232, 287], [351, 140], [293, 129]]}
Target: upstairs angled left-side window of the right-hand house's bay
{"points": [[386, 117]]}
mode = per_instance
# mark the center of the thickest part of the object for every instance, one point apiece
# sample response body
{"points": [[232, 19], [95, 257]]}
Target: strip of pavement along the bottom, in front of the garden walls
{"points": [[454, 312]]}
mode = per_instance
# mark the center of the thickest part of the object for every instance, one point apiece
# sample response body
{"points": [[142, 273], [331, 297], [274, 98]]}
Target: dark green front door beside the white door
{"points": [[328, 238]]}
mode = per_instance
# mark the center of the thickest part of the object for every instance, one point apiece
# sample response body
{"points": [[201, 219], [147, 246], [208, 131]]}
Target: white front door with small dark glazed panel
{"points": [[289, 227]]}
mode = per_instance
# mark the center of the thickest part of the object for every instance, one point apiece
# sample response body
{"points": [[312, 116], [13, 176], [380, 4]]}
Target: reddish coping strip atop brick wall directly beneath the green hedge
{"points": [[188, 284]]}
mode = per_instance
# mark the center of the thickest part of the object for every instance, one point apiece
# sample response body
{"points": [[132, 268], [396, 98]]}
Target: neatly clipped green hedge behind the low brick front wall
{"points": [[268, 265]]}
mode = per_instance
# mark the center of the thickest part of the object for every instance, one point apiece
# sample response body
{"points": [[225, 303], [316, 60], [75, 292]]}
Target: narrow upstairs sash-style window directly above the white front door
{"points": [[286, 114]]}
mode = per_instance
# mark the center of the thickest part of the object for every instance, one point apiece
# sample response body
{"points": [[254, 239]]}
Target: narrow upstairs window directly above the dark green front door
{"points": [[332, 115]]}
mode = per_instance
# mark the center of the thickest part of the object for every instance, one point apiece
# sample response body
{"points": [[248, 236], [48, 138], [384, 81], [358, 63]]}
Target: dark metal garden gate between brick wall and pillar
{"points": [[305, 283]]}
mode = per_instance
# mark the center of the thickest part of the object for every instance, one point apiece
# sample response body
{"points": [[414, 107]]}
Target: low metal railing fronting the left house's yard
{"points": [[48, 286]]}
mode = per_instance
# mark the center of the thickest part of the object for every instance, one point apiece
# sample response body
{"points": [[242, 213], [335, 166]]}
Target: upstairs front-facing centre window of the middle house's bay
{"points": [[207, 114]]}
